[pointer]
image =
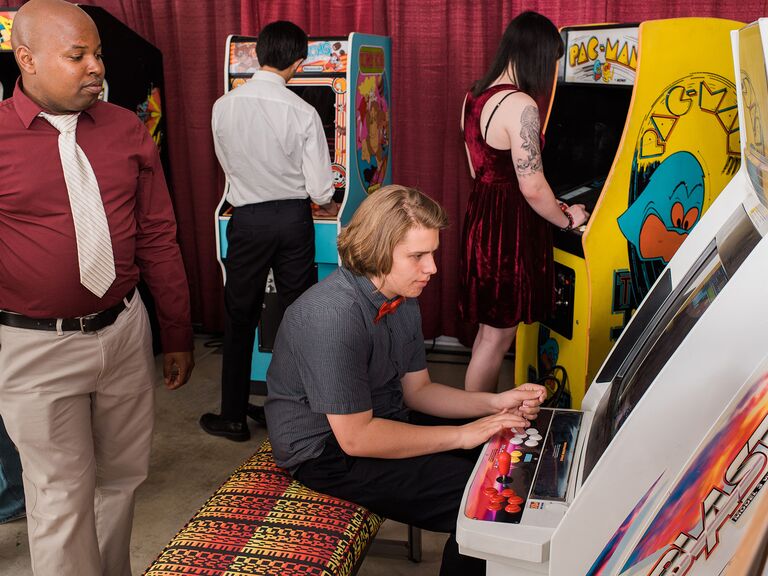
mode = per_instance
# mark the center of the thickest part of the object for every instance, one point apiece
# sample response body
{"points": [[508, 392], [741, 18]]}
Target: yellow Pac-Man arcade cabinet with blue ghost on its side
{"points": [[634, 108]]}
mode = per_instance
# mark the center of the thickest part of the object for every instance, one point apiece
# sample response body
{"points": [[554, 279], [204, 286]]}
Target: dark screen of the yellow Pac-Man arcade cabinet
{"points": [[582, 137]]}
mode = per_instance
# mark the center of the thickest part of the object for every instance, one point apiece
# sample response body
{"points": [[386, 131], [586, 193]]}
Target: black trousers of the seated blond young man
{"points": [[424, 491]]}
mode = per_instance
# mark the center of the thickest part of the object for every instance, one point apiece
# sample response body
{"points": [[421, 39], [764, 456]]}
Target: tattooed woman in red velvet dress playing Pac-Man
{"points": [[507, 261]]}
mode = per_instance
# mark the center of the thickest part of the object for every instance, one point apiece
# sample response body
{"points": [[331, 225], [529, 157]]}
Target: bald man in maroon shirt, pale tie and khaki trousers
{"points": [[76, 366]]}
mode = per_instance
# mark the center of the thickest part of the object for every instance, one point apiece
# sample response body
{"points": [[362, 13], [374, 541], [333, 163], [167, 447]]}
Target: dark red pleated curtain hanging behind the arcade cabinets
{"points": [[439, 48]]}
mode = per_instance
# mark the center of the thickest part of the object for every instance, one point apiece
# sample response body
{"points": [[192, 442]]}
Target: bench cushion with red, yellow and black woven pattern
{"points": [[263, 522]]}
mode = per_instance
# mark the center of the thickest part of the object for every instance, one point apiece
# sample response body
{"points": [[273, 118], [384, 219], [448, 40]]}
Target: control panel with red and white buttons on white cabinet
{"points": [[523, 476]]}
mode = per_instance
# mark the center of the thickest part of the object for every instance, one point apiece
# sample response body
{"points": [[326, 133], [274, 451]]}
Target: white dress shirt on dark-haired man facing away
{"points": [[271, 144]]}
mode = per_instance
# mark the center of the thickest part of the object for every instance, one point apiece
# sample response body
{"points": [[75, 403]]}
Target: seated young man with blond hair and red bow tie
{"points": [[351, 409]]}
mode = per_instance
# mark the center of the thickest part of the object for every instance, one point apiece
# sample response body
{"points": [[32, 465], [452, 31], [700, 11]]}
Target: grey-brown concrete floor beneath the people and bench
{"points": [[188, 465]]}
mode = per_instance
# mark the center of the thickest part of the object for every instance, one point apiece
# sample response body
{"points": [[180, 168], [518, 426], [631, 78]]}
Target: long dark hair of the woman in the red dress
{"points": [[531, 45]]}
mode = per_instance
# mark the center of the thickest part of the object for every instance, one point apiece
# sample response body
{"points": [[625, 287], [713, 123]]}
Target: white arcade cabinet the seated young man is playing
{"points": [[662, 472]]}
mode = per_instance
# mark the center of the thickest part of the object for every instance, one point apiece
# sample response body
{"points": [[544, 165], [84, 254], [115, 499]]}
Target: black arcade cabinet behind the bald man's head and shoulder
{"points": [[133, 79]]}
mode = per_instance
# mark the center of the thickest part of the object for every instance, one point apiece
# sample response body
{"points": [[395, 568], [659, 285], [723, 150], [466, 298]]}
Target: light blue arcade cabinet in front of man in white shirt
{"points": [[348, 81]]}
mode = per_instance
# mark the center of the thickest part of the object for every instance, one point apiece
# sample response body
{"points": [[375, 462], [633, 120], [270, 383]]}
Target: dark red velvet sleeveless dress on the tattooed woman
{"points": [[507, 261]]}
